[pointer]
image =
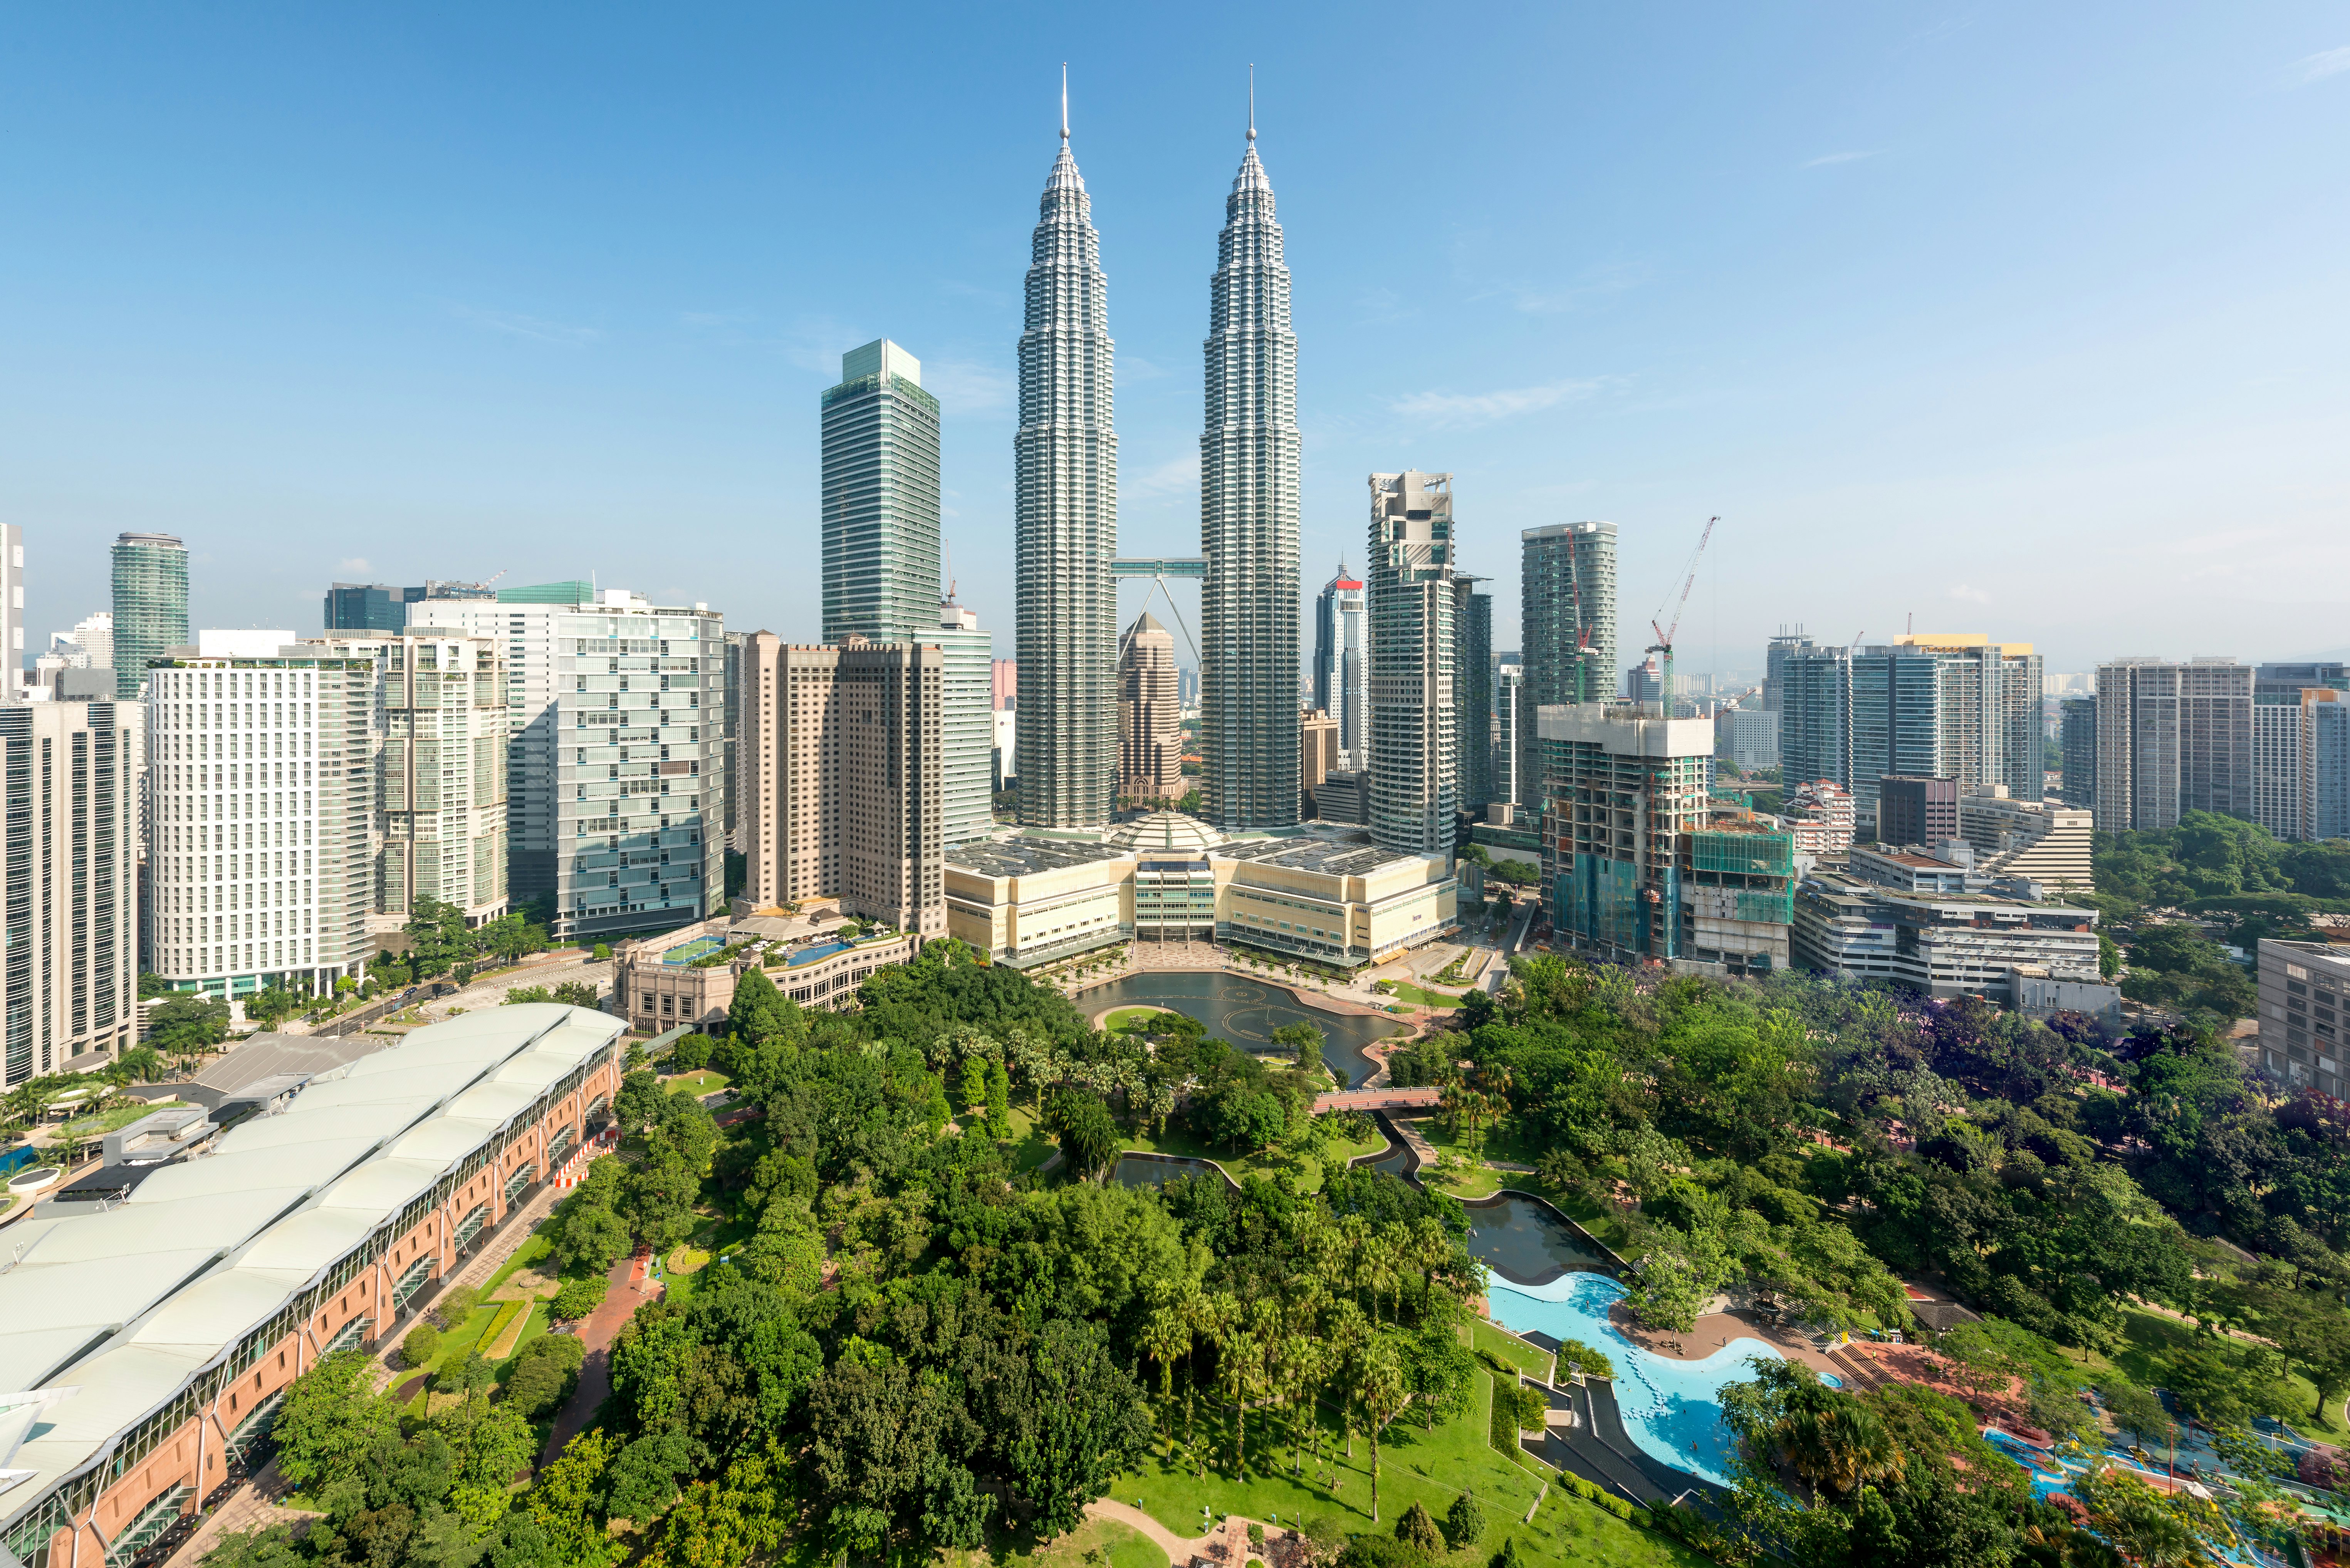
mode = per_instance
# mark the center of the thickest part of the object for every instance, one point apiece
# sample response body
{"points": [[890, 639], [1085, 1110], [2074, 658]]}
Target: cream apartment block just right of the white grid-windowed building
{"points": [[441, 772]]}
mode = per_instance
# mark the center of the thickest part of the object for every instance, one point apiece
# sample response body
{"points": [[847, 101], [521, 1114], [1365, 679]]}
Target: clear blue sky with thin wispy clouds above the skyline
{"points": [[2017, 319]]}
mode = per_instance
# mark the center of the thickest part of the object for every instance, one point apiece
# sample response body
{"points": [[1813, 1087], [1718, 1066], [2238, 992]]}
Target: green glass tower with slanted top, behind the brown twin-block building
{"points": [[880, 500]]}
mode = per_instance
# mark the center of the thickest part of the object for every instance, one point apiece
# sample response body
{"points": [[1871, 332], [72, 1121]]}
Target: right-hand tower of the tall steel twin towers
{"points": [[1249, 521]]}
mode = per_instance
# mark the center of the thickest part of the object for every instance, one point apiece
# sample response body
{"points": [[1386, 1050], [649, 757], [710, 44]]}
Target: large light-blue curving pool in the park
{"points": [[1670, 1407]]}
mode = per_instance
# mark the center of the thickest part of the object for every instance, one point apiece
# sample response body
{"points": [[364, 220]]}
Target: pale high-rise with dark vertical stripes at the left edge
{"points": [[72, 862]]}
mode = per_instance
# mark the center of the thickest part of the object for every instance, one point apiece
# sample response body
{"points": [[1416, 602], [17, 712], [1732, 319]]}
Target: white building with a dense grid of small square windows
{"points": [[262, 796]]}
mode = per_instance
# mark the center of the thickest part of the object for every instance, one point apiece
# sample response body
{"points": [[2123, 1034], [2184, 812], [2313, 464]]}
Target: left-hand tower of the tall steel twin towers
{"points": [[1066, 521]]}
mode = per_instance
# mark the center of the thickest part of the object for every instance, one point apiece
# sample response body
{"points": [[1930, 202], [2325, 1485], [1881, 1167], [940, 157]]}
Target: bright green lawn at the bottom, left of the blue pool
{"points": [[1416, 1466]]}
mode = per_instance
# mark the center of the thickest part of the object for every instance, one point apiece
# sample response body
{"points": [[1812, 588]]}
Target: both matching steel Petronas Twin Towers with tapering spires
{"points": [[1066, 521]]}
